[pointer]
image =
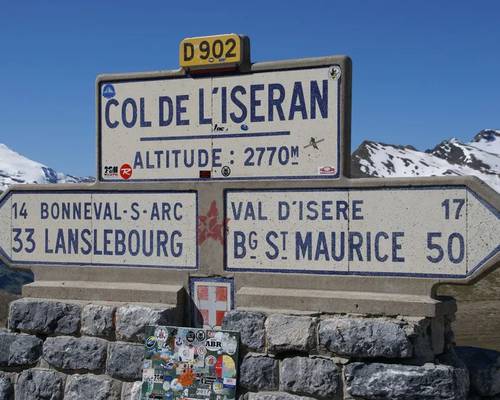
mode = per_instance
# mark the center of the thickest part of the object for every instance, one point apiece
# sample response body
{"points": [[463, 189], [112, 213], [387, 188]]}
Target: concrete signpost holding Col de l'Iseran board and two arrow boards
{"points": [[242, 177]]}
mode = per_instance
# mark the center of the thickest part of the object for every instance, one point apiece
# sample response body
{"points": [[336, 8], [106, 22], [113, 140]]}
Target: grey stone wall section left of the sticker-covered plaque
{"points": [[57, 350]]}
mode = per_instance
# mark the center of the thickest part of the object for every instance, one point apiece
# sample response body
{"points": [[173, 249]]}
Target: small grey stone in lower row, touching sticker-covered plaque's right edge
{"points": [[259, 372]]}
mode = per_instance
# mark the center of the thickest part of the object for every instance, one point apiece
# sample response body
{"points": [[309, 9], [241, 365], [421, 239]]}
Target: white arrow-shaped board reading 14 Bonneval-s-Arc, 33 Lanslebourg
{"points": [[153, 229]]}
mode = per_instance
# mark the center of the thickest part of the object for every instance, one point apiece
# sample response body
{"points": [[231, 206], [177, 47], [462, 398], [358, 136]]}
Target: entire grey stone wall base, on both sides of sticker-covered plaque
{"points": [[75, 350]]}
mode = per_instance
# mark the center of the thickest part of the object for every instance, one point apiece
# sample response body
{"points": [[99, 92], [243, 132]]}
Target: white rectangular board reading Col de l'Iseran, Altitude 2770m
{"points": [[275, 124]]}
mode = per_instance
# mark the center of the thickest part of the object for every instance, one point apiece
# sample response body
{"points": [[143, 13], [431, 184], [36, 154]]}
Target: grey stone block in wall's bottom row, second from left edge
{"points": [[39, 384]]}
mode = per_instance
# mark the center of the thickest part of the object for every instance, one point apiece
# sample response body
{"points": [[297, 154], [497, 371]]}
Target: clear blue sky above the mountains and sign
{"points": [[423, 70]]}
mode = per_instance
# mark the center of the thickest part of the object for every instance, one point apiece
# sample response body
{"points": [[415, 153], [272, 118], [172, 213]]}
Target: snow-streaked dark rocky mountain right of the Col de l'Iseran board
{"points": [[479, 157]]}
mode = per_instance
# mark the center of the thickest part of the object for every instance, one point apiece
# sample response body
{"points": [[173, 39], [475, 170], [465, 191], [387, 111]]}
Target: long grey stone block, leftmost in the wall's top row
{"points": [[44, 316]]}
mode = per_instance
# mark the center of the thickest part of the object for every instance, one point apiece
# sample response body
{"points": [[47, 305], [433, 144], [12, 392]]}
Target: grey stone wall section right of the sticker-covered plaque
{"points": [[345, 357]]}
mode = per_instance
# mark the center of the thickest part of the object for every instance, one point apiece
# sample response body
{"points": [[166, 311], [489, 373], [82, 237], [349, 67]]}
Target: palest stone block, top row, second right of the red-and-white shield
{"points": [[290, 333]]}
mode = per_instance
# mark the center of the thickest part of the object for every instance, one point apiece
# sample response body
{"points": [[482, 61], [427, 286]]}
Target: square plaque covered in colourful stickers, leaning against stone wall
{"points": [[189, 363]]}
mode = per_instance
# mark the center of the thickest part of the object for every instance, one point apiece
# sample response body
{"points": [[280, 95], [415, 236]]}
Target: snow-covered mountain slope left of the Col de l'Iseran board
{"points": [[15, 168]]}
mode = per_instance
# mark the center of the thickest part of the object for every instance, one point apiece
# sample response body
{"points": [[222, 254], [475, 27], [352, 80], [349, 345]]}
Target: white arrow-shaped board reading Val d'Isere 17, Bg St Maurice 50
{"points": [[425, 232]]}
